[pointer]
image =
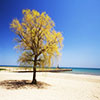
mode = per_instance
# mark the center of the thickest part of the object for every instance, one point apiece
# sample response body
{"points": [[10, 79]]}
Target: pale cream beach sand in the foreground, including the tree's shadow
{"points": [[53, 86]]}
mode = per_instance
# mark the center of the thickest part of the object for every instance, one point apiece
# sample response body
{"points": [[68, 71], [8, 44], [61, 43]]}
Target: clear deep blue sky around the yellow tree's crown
{"points": [[78, 20]]}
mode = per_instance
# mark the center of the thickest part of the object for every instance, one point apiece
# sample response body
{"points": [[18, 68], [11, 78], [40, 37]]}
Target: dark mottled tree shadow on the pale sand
{"points": [[22, 84]]}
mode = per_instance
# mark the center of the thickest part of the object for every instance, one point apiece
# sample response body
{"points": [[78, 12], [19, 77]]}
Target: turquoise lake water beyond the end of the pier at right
{"points": [[89, 71]]}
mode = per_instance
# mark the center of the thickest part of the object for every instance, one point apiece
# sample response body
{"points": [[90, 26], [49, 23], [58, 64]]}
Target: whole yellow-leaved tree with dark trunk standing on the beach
{"points": [[37, 39]]}
